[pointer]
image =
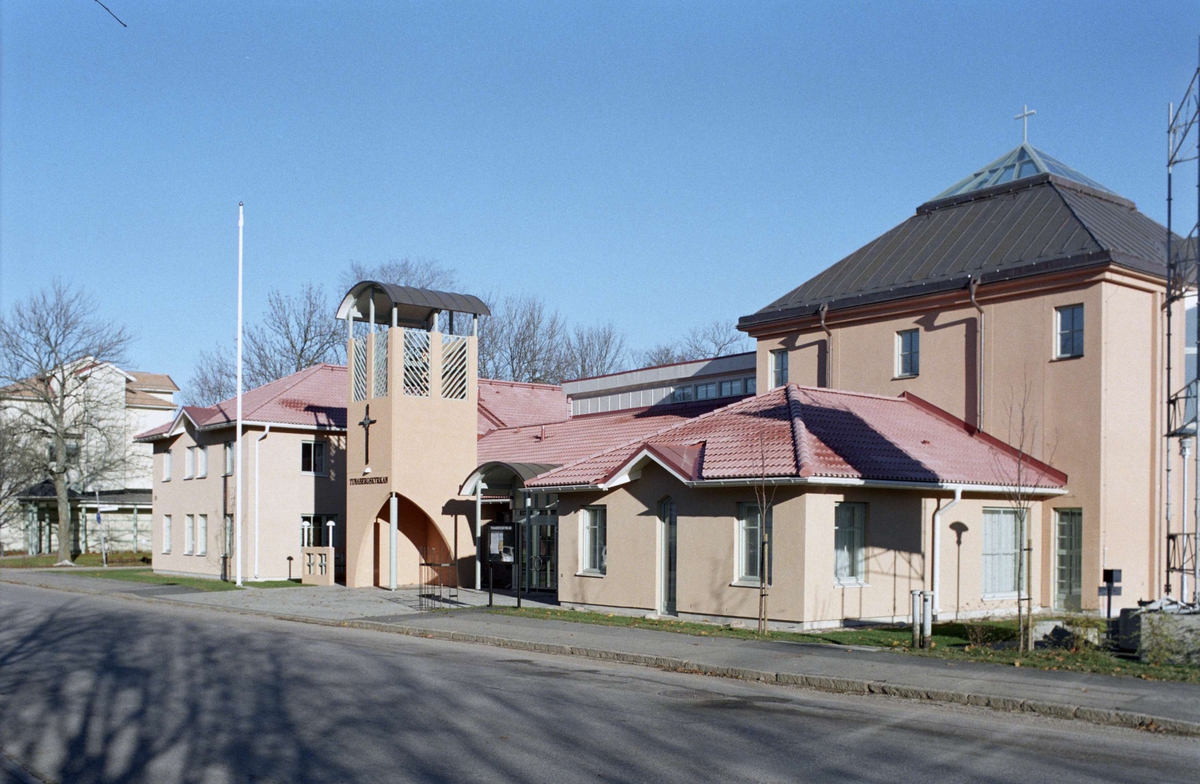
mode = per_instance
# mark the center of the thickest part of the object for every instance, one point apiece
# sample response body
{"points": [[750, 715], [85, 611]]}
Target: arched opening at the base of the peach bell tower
{"points": [[418, 542]]}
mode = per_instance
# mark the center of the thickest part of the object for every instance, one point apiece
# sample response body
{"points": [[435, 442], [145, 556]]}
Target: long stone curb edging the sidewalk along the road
{"points": [[1127, 720]]}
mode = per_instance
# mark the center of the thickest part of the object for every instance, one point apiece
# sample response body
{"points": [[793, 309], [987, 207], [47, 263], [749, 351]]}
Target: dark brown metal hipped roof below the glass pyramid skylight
{"points": [[1033, 226]]}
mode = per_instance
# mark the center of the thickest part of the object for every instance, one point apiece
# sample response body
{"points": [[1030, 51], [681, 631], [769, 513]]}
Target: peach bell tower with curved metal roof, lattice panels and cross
{"points": [[411, 433]]}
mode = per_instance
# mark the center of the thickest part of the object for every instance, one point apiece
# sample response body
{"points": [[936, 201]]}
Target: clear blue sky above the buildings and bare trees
{"points": [[655, 164]]}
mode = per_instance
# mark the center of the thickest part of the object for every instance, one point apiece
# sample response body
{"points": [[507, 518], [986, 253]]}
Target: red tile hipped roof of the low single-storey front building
{"points": [[800, 432]]}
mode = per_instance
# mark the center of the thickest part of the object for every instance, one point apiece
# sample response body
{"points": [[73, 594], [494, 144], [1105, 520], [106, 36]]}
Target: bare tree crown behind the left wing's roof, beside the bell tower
{"points": [[297, 332]]}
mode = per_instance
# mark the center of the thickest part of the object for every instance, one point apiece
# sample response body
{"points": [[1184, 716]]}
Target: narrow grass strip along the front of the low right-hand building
{"points": [[959, 642]]}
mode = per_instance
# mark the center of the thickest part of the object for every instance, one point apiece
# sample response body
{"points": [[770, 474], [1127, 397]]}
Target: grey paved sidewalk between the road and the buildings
{"points": [[1167, 707]]}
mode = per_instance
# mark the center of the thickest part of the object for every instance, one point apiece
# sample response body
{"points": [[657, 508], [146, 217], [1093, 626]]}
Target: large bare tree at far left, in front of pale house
{"points": [[59, 386]]}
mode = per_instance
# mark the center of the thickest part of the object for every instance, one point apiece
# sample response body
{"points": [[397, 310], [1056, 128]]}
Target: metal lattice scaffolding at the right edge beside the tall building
{"points": [[1183, 265]]}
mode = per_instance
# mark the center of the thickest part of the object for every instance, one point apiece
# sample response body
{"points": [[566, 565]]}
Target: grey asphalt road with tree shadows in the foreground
{"points": [[106, 690]]}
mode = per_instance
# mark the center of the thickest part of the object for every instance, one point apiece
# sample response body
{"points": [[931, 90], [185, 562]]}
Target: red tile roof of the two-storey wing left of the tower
{"points": [[313, 398]]}
